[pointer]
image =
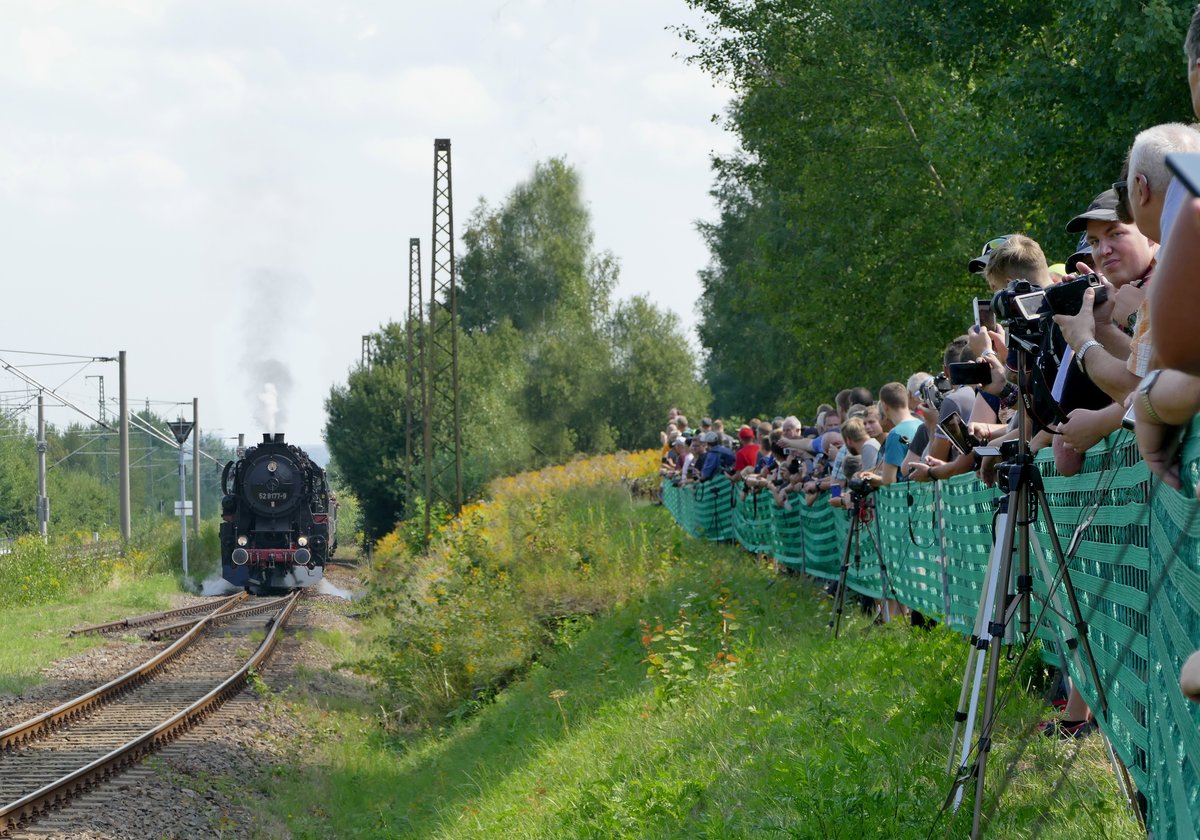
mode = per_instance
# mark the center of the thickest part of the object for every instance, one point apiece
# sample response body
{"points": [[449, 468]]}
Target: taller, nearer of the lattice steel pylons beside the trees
{"points": [[443, 435]]}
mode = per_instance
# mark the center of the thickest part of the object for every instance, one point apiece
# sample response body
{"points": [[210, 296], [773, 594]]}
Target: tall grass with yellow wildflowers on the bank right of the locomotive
{"points": [[503, 583]]}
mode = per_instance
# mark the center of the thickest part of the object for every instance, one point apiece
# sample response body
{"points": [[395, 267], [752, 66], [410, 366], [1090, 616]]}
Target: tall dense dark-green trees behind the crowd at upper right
{"points": [[883, 145]]}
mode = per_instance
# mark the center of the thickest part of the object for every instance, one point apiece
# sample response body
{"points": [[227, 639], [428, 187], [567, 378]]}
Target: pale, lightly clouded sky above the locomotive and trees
{"points": [[226, 190]]}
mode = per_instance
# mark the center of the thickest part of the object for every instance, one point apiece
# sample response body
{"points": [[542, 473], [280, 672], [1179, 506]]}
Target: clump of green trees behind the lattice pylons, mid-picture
{"points": [[545, 369]]}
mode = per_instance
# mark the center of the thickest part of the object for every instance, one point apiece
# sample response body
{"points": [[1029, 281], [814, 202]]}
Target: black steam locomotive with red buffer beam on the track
{"points": [[279, 521]]}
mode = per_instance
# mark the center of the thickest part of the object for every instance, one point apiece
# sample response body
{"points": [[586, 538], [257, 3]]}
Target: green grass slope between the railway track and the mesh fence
{"points": [[705, 701]]}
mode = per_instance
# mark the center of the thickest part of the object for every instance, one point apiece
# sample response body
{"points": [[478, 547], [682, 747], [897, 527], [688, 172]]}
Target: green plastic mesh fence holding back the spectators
{"points": [[1133, 551]]}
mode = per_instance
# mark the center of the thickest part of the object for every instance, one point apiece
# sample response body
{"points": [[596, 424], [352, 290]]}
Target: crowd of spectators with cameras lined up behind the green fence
{"points": [[1082, 359]]}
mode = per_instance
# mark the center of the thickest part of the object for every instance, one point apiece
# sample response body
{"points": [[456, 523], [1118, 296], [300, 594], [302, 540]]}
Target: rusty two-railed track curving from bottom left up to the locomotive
{"points": [[47, 760]]}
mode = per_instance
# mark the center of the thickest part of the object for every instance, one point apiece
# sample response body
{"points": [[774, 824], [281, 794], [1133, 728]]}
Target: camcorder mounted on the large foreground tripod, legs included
{"points": [[1009, 583]]}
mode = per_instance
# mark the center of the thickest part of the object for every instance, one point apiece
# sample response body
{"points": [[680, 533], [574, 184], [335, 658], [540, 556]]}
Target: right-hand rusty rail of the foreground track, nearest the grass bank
{"points": [[57, 794]]}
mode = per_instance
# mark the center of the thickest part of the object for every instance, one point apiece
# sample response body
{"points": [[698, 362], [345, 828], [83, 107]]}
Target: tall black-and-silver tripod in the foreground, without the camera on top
{"points": [[1021, 478]]}
